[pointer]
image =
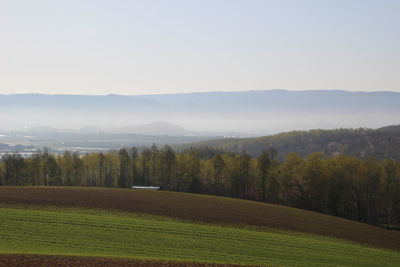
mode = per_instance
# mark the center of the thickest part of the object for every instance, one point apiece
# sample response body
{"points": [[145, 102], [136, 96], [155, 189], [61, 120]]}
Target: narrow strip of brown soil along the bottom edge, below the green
{"points": [[25, 260]]}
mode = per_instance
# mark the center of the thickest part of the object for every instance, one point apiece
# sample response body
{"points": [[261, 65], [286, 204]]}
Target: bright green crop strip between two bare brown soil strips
{"points": [[76, 231]]}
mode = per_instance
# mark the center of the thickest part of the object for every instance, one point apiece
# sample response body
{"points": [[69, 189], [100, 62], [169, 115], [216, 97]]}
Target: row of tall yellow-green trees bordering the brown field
{"points": [[367, 190]]}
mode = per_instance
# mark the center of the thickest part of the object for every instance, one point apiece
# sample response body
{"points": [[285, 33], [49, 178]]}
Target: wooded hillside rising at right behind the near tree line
{"points": [[362, 143]]}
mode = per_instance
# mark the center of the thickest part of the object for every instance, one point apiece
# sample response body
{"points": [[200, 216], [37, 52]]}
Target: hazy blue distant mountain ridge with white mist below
{"points": [[260, 112]]}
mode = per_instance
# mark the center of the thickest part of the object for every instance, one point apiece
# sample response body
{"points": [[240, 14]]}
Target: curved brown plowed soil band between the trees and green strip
{"points": [[204, 208]]}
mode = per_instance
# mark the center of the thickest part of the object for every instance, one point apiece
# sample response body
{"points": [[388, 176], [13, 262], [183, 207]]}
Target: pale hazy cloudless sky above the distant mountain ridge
{"points": [[149, 46]]}
